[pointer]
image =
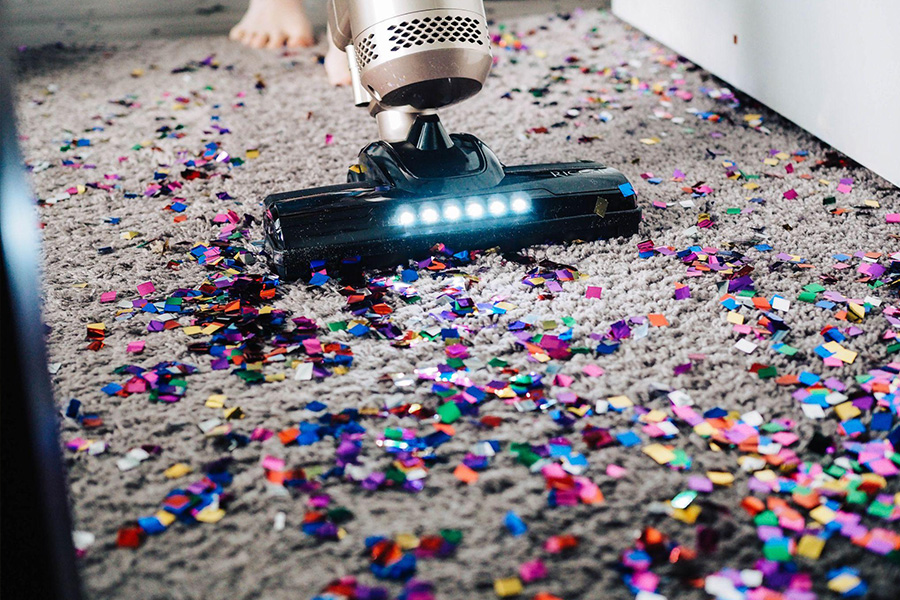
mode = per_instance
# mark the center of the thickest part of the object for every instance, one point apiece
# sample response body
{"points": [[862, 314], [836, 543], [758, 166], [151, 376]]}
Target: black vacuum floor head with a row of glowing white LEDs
{"points": [[405, 198]]}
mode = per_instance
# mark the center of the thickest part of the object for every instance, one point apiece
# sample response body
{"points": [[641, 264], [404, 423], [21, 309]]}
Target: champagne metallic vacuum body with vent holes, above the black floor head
{"points": [[412, 56]]}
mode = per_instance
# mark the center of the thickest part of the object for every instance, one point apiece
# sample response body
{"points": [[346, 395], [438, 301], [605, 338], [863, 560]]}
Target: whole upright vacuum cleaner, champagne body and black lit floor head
{"points": [[418, 186]]}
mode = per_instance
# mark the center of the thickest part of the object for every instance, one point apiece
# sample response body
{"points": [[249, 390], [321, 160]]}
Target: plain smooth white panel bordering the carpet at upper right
{"points": [[831, 66]]}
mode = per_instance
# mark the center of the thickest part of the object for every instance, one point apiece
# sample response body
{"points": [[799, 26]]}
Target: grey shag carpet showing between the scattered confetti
{"points": [[549, 102]]}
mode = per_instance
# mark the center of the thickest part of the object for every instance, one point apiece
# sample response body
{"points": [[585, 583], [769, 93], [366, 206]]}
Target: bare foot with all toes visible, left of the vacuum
{"points": [[273, 24]]}
